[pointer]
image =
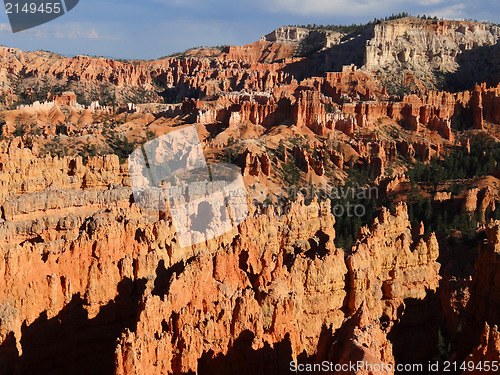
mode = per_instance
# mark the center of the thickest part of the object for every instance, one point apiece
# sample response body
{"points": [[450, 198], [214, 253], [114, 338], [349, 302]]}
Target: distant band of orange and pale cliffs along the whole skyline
{"points": [[404, 50]]}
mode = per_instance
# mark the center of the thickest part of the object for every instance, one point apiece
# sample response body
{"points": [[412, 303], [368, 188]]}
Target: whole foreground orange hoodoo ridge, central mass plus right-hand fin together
{"points": [[280, 289]]}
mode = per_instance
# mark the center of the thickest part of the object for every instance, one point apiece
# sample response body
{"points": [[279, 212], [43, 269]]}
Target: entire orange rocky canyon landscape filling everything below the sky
{"points": [[93, 282]]}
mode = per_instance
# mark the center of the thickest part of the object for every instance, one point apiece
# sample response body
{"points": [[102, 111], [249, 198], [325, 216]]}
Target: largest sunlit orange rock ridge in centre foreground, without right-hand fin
{"points": [[256, 286]]}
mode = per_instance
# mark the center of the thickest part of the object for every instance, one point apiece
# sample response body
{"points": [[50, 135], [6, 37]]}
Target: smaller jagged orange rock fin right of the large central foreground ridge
{"points": [[376, 276]]}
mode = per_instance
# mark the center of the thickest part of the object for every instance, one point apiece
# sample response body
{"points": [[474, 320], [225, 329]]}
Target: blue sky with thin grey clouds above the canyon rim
{"points": [[152, 28]]}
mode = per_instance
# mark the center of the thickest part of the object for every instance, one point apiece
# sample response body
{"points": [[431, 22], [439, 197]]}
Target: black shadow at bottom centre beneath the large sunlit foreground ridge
{"points": [[241, 359]]}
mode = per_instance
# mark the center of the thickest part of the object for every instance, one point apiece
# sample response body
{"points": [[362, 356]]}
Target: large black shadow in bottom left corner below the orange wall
{"points": [[71, 343]]}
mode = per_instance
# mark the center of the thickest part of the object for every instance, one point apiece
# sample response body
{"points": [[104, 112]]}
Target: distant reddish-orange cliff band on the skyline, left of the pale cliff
{"points": [[129, 80]]}
